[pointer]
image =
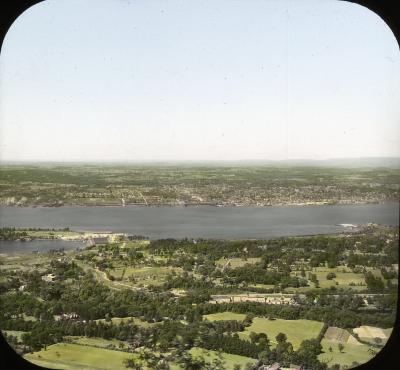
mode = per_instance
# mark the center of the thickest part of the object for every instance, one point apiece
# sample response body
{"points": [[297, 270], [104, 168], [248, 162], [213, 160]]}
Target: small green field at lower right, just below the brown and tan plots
{"points": [[351, 353]]}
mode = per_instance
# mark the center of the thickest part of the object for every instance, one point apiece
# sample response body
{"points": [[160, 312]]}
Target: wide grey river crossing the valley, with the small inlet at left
{"points": [[198, 222]]}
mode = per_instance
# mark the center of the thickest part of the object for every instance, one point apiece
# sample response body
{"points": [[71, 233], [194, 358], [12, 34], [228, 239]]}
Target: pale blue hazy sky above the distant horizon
{"points": [[116, 80]]}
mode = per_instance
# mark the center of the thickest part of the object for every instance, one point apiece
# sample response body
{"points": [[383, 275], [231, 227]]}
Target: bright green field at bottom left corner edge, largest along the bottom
{"points": [[75, 356]]}
